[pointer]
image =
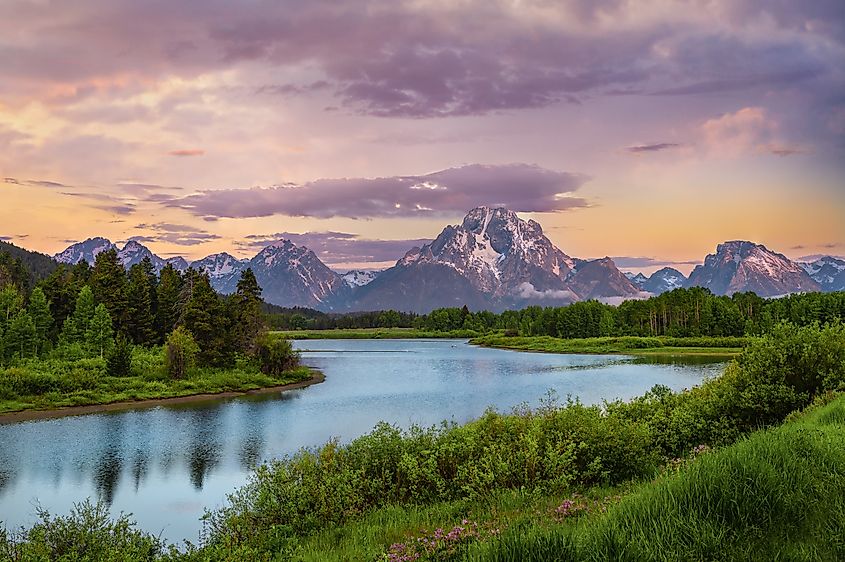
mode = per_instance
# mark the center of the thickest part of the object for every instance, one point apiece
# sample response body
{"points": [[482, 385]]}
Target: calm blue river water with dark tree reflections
{"points": [[166, 465]]}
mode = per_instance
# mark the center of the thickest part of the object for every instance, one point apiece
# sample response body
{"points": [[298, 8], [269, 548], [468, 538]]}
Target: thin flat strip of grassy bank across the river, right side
{"points": [[633, 345]]}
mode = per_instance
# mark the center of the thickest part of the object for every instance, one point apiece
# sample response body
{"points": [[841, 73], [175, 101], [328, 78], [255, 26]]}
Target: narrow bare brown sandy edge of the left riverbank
{"points": [[28, 415]]}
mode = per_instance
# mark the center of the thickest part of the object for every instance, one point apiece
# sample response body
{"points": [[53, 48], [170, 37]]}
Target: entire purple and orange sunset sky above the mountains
{"points": [[647, 131]]}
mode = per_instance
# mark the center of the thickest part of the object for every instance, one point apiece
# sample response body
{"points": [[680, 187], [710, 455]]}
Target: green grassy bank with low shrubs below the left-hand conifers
{"points": [[65, 382]]}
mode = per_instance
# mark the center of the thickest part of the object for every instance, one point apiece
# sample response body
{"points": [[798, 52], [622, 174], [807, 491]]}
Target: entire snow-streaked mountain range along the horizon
{"points": [[493, 260]]}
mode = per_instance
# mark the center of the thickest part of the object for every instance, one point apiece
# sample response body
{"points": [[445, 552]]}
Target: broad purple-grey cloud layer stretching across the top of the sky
{"points": [[403, 58]]}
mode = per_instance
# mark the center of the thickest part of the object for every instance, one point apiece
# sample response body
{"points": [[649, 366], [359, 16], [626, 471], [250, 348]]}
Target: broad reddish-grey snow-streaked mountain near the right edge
{"points": [[740, 266]]}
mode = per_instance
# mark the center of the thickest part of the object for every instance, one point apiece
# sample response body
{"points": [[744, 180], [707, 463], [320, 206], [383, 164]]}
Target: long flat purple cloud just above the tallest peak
{"points": [[520, 187]]}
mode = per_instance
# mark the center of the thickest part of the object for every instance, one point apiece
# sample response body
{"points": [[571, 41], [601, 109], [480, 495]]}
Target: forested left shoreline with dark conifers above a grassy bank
{"points": [[95, 335]]}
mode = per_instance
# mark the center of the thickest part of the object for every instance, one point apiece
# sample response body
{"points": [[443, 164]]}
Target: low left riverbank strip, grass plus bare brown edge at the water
{"points": [[121, 393]]}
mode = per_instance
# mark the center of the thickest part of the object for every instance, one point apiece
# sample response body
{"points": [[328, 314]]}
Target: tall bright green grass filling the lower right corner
{"points": [[776, 495]]}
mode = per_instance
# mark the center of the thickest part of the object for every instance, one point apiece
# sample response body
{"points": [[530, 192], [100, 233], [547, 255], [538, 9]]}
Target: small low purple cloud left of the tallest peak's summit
{"points": [[338, 247]]}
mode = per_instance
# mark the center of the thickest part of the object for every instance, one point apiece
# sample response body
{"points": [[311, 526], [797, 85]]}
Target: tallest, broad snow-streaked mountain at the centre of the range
{"points": [[495, 260]]}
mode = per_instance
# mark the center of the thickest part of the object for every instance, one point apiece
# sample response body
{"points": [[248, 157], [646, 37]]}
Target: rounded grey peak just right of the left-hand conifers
{"points": [[292, 275]]}
